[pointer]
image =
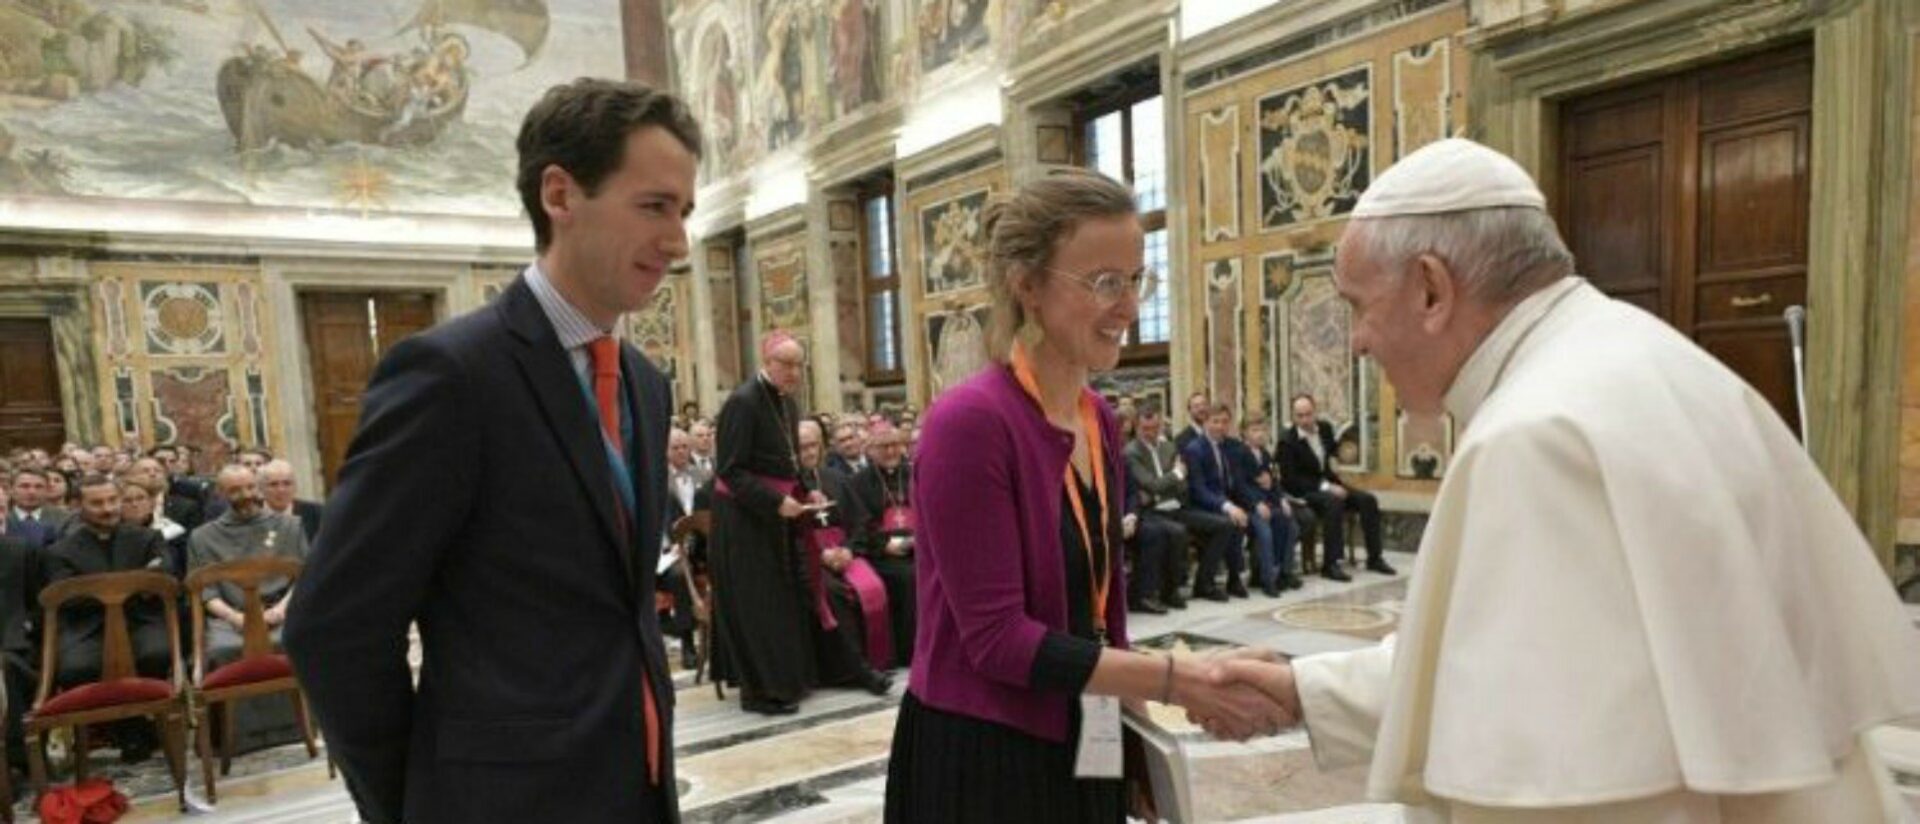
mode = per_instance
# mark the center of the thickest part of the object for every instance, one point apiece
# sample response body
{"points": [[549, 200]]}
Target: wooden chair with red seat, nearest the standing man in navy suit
{"points": [[258, 671]]}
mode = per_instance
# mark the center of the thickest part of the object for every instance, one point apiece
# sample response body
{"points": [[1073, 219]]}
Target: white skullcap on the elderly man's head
{"points": [[1449, 176]]}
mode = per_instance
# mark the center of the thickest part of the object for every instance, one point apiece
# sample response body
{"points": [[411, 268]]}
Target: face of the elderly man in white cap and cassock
{"points": [[1397, 324]]}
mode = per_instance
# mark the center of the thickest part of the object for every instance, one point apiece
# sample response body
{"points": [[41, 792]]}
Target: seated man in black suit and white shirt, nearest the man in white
{"points": [[1307, 473]]}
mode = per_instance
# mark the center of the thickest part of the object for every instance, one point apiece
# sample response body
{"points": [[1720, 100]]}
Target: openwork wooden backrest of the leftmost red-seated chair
{"points": [[112, 591]]}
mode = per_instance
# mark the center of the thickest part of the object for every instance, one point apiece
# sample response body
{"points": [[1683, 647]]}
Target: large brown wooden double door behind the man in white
{"points": [[1691, 197]]}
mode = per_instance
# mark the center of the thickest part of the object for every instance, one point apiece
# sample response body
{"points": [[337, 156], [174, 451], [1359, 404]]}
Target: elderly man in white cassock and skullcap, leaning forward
{"points": [[1637, 598]]}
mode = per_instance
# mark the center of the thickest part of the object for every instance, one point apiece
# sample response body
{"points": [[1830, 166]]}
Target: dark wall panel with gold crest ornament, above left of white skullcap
{"points": [[1316, 149]]}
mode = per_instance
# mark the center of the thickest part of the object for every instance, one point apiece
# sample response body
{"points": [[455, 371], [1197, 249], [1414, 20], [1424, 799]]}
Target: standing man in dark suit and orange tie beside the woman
{"points": [[508, 493]]}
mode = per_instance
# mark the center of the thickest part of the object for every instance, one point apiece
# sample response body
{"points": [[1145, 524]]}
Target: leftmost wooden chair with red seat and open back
{"points": [[120, 692]]}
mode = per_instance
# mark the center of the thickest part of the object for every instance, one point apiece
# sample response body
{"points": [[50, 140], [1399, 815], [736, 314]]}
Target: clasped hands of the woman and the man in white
{"points": [[1237, 694]]}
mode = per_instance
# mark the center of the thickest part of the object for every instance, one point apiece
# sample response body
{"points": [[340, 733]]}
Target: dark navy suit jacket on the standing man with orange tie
{"points": [[479, 500]]}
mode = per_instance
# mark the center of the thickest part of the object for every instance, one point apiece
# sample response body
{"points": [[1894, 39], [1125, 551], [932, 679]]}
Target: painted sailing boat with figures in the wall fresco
{"points": [[370, 99]]}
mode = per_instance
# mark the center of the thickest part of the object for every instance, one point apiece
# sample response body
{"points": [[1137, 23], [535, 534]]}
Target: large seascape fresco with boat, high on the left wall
{"points": [[364, 107]]}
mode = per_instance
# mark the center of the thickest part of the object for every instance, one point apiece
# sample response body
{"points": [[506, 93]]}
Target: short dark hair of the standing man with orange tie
{"points": [[583, 128]]}
